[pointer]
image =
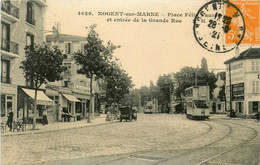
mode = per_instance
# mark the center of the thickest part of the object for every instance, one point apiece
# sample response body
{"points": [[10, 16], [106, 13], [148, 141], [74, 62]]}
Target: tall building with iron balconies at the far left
{"points": [[21, 25]]}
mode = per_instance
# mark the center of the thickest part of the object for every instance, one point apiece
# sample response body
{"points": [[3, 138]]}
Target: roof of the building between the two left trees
{"points": [[64, 37]]}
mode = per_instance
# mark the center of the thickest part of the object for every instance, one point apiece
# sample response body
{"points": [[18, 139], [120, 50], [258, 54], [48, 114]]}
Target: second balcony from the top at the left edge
{"points": [[9, 48]]}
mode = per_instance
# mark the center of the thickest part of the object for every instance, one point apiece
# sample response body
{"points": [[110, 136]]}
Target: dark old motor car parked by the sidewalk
{"points": [[127, 113]]}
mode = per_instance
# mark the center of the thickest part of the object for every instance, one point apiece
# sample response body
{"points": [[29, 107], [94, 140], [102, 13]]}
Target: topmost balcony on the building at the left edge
{"points": [[10, 11]]}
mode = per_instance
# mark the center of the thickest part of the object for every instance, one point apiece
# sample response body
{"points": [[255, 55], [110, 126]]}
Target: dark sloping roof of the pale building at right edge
{"points": [[251, 53]]}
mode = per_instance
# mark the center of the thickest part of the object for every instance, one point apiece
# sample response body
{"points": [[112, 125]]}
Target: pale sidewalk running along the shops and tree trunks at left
{"points": [[57, 126]]}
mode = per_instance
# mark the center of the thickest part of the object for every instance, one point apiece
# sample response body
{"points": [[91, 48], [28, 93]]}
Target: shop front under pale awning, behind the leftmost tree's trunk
{"points": [[26, 105]]}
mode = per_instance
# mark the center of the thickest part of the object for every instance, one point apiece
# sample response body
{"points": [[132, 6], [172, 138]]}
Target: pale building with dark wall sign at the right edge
{"points": [[245, 82]]}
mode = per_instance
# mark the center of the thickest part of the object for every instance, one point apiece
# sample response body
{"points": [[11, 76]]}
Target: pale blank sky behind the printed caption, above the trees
{"points": [[148, 49]]}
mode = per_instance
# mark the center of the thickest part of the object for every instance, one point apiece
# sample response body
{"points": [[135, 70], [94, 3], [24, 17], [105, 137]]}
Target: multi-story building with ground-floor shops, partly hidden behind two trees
{"points": [[72, 94]]}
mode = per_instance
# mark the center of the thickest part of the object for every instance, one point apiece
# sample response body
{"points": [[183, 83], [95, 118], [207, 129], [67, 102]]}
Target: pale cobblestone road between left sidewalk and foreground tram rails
{"points": [[159, 133]]}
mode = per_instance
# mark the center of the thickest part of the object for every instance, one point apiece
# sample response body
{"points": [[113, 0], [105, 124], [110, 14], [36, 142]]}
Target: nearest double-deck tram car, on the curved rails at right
{"points": [[197, 100]]}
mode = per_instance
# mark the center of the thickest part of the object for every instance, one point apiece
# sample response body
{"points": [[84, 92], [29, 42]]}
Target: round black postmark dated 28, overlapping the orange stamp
{"points": [[219, 26]]}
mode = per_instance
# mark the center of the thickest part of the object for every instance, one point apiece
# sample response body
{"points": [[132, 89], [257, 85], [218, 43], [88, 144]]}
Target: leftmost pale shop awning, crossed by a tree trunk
{"points": [[42, 99]]}
